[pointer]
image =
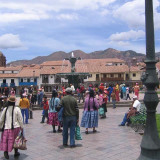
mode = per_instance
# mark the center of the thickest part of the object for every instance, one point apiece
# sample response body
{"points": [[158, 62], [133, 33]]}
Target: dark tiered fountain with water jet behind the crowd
{"points": [[73, 77]]}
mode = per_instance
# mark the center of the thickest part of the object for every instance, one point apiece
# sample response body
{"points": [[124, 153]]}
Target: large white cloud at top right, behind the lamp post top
{"points": [[133, 13]]}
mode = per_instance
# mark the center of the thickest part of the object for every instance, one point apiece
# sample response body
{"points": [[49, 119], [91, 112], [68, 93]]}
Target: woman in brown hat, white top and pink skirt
{"points": [[11, 123]]}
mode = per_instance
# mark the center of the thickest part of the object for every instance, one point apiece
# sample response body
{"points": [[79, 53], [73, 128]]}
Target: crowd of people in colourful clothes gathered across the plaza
{"points": [[62, 110]]}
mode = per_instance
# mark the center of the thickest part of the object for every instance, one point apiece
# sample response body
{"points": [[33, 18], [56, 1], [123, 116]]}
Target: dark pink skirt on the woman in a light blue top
{"points": [[53, 119]]}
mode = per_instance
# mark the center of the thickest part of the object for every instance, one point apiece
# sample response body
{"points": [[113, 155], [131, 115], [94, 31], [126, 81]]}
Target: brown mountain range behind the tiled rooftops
{"points": [[108, 53]]}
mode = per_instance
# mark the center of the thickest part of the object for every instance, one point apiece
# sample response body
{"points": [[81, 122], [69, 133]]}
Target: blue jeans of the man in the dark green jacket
{"points": [[69, 122]]}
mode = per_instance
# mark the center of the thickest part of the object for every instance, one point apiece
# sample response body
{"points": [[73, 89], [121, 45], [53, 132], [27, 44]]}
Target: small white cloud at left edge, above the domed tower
{"points": [[10, 41]]}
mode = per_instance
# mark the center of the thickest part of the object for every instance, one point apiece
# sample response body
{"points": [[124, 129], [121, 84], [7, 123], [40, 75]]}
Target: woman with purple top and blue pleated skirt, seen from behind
{"points": [[90, 113]]}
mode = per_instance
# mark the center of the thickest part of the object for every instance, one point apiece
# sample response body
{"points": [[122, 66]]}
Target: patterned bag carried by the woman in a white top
{"points": [[20, 142]]}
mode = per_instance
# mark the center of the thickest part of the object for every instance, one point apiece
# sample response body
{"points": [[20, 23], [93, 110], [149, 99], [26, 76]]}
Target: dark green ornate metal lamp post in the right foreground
{"points": [[150, 145]]}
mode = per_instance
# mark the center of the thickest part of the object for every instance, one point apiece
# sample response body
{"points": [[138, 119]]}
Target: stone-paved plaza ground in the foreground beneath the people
{"points": [[111, 142]]}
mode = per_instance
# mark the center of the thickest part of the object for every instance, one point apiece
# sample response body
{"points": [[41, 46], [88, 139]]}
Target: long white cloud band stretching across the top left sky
{"points": [[40, 9]]}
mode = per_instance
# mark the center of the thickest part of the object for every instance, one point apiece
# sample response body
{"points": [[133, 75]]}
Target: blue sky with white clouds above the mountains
{"points": [[40, 27]]}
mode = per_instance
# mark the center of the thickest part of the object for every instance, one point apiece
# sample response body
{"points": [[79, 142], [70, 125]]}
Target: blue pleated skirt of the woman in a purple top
{"points": [[89, 119]]}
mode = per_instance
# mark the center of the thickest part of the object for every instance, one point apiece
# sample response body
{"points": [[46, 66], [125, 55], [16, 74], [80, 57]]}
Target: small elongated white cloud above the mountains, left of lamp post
{"points": [[125, 36]]}
